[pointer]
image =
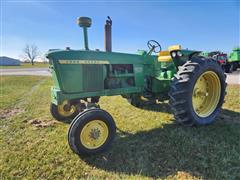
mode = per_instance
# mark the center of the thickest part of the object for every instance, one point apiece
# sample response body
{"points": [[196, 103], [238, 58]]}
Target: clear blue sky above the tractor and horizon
{"points": [[200, 25]]}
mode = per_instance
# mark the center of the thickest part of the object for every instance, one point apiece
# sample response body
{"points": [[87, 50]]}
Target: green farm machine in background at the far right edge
{"points": [[233, 61]]}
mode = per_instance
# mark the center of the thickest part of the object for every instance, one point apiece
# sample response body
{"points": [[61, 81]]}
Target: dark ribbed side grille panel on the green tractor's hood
{"points": [[93, 79]]}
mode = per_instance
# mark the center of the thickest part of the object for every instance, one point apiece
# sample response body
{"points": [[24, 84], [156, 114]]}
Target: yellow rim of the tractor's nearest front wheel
{"points": [[94, 134]]}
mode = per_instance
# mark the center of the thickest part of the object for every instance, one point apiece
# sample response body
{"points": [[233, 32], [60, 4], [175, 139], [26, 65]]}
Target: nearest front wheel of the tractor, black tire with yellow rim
{"points": [[91, 132]]}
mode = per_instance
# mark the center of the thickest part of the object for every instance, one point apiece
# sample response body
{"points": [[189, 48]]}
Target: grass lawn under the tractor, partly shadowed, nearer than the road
{"points": [[148, 143]]}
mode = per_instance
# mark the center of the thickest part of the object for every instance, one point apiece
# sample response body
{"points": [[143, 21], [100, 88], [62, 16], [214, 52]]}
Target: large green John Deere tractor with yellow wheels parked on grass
{"points": [[194, 85]]}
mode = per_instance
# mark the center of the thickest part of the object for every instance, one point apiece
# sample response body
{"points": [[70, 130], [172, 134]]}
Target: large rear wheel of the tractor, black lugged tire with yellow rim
{"points": [[197, 92]]}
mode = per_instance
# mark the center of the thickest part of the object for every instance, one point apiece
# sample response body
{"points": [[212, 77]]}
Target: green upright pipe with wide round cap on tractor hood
{"points": [[85, 22]]}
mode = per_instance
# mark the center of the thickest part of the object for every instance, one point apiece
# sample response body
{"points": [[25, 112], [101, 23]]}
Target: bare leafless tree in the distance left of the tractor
{"points": [[30, 53]]}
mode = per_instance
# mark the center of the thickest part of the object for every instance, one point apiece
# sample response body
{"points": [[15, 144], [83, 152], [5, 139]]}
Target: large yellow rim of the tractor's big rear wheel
{"points": [[206, 94]]}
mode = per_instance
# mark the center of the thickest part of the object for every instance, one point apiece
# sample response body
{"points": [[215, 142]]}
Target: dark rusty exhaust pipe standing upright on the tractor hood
{"points": [[108, 35]]}
